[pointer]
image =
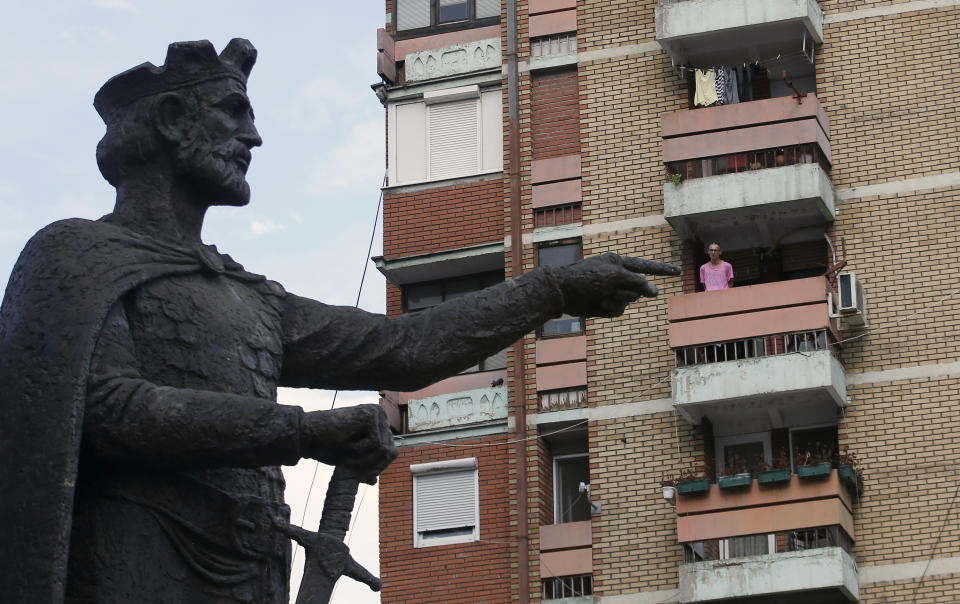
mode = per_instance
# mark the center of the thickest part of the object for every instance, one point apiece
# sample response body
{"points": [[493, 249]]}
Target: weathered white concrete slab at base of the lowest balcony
{"points": [[818, 575]]}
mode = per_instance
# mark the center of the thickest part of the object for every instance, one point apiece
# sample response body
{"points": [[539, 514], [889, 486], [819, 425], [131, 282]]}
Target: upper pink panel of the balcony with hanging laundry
{"points": [[740, 115]]}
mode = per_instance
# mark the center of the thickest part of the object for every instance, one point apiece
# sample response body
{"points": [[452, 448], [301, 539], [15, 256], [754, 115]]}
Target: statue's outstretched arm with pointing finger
{"points": [[342, 347]]}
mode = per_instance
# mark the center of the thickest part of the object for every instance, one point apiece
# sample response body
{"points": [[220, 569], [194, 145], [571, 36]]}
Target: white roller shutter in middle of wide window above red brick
{"points": [[454, 139]]}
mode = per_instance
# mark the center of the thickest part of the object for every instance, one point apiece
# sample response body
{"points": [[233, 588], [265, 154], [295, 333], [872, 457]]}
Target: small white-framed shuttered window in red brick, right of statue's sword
{"points": [[446, 505]]}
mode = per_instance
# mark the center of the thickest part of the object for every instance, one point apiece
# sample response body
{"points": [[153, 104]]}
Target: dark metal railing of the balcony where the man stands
{"points": [[748, 348]]}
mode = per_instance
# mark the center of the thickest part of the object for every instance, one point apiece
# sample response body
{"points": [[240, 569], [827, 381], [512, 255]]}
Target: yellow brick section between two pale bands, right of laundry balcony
{"points": [[890, 87]]}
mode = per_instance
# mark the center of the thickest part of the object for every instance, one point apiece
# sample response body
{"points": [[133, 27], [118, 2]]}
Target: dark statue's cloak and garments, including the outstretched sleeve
{"points": [[138, 428]]}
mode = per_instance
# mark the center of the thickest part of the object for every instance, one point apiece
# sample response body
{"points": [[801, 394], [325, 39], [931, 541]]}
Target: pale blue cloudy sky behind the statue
{"points": [[315, 181]]}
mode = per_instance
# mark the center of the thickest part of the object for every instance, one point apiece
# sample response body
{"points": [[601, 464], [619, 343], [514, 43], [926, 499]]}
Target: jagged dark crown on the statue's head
{"points": [[187, 64]]}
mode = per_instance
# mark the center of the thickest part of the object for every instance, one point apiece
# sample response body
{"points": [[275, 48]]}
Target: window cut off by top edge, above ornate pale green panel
{"points": [[412, 17]]}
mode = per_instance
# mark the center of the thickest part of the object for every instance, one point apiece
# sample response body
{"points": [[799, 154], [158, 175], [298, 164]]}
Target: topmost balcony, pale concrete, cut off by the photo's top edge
{"points": [[722, 32]]}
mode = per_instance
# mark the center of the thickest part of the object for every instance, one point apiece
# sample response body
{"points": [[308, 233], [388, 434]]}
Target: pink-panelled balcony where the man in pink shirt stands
{"points": [[761, 356]]}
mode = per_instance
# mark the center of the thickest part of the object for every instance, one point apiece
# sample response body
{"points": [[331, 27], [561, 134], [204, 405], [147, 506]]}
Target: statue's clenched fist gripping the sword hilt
{"points": [[358, 438]]}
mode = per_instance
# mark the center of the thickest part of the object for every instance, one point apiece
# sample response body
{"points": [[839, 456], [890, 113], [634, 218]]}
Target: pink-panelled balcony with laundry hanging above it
{"points": [[754, 172]]}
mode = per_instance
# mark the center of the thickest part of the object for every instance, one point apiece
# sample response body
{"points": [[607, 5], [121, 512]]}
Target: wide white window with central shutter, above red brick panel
{"points": [[449, 134]]}
